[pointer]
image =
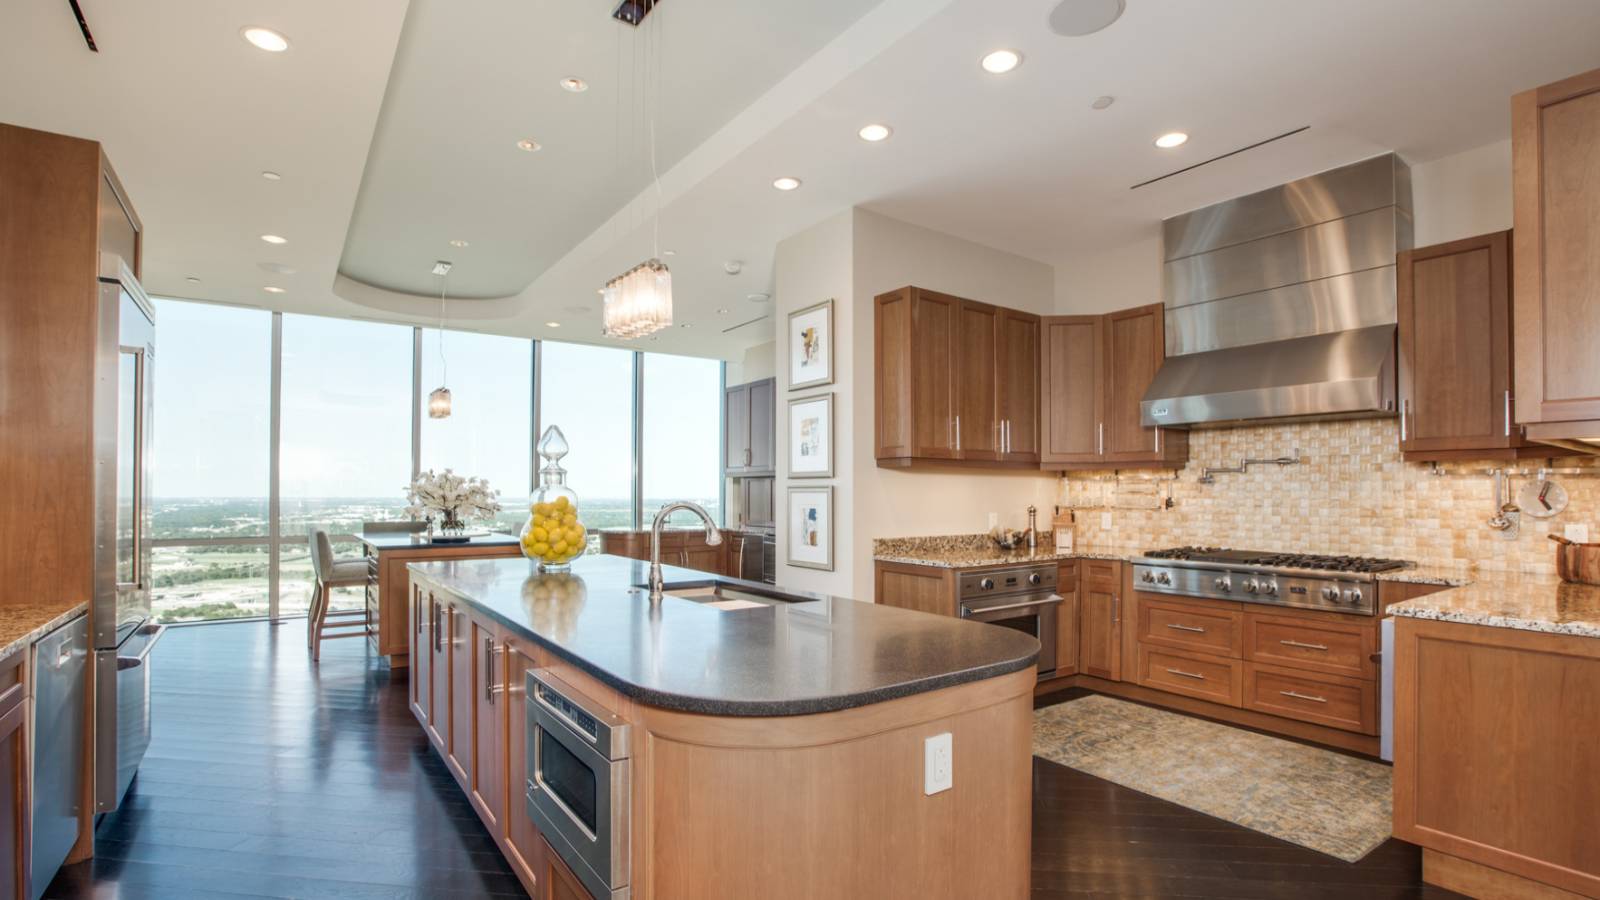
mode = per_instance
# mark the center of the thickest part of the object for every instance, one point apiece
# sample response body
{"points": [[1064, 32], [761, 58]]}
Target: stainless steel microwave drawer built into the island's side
{"points": [[578, 784]]}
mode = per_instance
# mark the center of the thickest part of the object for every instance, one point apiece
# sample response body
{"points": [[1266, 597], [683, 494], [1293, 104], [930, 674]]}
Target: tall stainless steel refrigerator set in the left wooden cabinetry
{"points": [[124, 430]]}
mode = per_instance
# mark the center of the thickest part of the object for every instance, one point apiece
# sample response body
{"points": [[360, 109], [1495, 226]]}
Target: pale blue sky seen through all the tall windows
{"points": [[346, 409]]}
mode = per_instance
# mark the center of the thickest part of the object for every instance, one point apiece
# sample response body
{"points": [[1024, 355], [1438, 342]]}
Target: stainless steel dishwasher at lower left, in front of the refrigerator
{"points": [[60, 672]]}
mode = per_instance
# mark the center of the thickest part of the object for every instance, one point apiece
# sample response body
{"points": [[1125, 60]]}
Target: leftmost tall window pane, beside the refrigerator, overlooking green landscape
{"points": [[210, 465]]}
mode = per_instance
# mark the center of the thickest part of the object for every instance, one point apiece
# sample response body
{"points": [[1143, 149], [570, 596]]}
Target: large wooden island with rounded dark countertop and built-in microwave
{"points": [[724, 744]]}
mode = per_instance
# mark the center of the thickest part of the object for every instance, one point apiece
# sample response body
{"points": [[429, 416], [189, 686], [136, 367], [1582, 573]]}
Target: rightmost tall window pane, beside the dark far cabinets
{"points": [[682, 435]]}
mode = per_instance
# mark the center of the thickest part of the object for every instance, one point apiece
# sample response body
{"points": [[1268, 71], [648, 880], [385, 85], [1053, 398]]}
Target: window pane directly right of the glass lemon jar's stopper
{"points": [[590, 393]]}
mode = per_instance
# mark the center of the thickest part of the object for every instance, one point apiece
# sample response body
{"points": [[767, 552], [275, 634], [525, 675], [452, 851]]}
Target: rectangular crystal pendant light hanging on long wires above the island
{"points": [[639, 302]]}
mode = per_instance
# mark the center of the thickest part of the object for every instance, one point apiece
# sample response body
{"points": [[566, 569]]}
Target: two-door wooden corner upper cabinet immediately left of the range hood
{"points": [[1094, 376]]}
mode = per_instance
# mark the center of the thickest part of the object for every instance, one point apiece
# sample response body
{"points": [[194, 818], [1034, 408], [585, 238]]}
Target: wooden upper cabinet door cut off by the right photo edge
{"points": [[1556, 207]]}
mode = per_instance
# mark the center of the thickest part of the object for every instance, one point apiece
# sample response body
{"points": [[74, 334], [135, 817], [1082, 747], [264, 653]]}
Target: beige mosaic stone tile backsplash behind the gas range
{"points": [[1351, 494]]}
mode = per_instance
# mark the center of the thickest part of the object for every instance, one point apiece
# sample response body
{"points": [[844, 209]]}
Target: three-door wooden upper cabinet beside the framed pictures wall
{"points": [[954, 382]]}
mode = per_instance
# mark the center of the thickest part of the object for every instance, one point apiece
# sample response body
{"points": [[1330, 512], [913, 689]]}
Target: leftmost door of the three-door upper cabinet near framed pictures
{"points": [[935, 319]]}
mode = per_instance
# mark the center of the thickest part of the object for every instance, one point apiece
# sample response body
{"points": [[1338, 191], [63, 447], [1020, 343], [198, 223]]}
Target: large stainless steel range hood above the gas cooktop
{"points": [[1282, 305]]}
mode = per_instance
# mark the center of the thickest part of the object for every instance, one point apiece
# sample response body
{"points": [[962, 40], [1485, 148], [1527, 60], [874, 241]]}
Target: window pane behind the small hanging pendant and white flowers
{"points": [[490, 428]]}
